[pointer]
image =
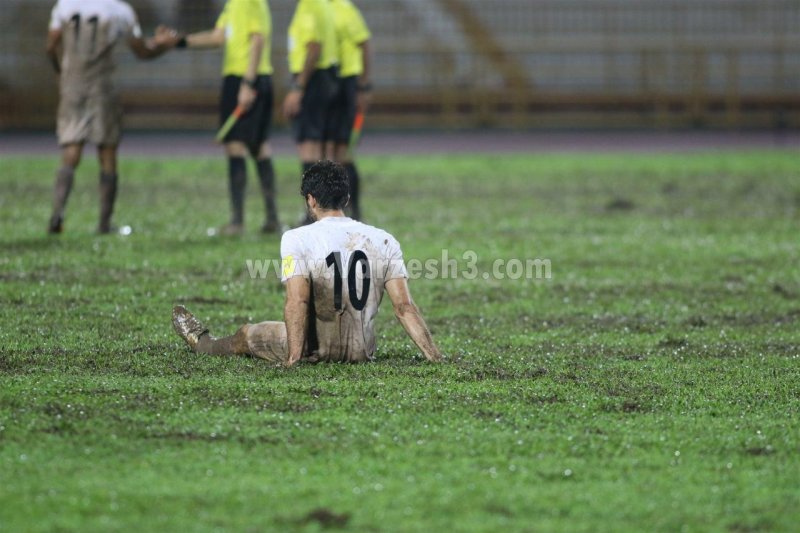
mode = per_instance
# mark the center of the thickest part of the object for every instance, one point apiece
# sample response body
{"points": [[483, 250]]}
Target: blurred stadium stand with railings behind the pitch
{"points": [[477, 63]]}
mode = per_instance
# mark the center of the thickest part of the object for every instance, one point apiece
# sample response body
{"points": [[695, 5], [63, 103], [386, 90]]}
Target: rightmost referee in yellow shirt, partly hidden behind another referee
{"points": [[353, 37]]}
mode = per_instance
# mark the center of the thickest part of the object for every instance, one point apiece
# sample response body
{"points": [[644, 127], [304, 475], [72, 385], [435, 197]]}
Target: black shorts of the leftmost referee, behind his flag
{"points": [[253, 128]]}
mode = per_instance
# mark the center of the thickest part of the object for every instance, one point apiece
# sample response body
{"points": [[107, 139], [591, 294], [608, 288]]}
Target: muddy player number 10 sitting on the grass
{"points": [[335, 271]]}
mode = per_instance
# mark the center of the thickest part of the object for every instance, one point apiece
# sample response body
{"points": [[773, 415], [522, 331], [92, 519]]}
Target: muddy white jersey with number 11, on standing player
{"points": [[90, 29]]}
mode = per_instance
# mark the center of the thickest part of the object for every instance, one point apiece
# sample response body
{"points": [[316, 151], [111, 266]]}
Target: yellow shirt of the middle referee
{"points": [[312, 23]]}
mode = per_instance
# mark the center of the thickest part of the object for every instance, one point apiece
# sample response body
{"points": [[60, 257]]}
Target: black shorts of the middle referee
{"points": [[313, 123]]}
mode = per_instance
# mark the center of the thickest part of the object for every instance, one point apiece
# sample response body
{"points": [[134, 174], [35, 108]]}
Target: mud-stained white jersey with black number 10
{"points": [[348, 264]]}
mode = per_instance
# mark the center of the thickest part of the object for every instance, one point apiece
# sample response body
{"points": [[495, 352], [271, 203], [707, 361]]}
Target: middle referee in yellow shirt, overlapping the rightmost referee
{"points": [[313, 57]]}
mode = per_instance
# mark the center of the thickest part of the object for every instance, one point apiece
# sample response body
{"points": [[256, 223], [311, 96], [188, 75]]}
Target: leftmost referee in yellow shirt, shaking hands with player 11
{"points": [[245, 29]]}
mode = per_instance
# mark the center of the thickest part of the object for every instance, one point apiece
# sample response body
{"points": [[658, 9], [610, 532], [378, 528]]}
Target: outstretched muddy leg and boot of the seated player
{"points": [[266, 340]]}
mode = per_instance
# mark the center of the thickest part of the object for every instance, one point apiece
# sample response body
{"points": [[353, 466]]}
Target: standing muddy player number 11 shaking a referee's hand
{"points": [[80, 44]]}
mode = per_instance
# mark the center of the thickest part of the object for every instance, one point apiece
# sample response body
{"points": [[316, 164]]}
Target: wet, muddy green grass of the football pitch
{"points": [[653, 383]]}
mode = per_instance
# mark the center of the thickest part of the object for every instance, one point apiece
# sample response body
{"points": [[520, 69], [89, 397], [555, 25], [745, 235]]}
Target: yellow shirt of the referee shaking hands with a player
{"points": [[241, 19]]}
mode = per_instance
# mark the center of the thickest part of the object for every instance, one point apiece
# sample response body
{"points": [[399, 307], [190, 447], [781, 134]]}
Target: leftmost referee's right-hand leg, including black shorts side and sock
{"points": [[261, 151]]}
